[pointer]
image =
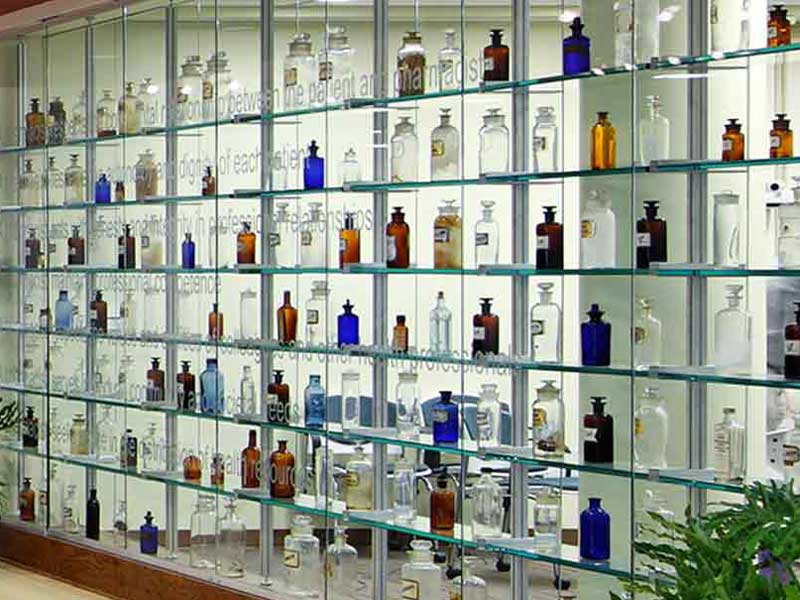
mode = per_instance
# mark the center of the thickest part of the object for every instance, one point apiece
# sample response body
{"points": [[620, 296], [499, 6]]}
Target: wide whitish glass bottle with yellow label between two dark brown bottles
{"points": [[598, 232]]}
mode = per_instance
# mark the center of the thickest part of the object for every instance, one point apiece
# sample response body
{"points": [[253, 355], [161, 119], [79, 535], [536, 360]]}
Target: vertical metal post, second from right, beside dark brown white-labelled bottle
{"points": [[519, 306]]}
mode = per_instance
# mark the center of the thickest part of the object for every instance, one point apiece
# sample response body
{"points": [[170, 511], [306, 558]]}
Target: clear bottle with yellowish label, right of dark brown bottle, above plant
{"points": [[650, 430]]}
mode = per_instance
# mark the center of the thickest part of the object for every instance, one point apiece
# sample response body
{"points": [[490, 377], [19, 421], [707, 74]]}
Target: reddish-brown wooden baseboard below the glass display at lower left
{"points": [[104, 572]]}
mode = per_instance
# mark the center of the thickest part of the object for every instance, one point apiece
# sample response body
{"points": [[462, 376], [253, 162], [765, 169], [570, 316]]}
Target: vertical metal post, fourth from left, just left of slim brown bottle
{"points": [[266, 538]]}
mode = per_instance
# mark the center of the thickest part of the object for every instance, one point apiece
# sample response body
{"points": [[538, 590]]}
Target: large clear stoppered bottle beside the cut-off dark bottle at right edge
{"points": [[733, 333]]}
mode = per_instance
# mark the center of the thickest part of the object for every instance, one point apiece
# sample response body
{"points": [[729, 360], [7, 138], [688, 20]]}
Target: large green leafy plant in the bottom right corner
{"points": [[745, 551]]}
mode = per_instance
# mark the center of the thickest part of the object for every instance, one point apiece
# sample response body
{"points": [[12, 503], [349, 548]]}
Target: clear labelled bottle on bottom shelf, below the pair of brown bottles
{"points": [[301, 559]]}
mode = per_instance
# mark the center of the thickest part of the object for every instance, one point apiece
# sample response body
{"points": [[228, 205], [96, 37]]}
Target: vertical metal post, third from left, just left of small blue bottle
{"points": [[171, 419]]}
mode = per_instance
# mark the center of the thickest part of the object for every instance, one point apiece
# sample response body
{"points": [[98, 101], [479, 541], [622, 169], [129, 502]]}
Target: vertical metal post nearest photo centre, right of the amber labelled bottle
{"points": [[380, 289]]}
